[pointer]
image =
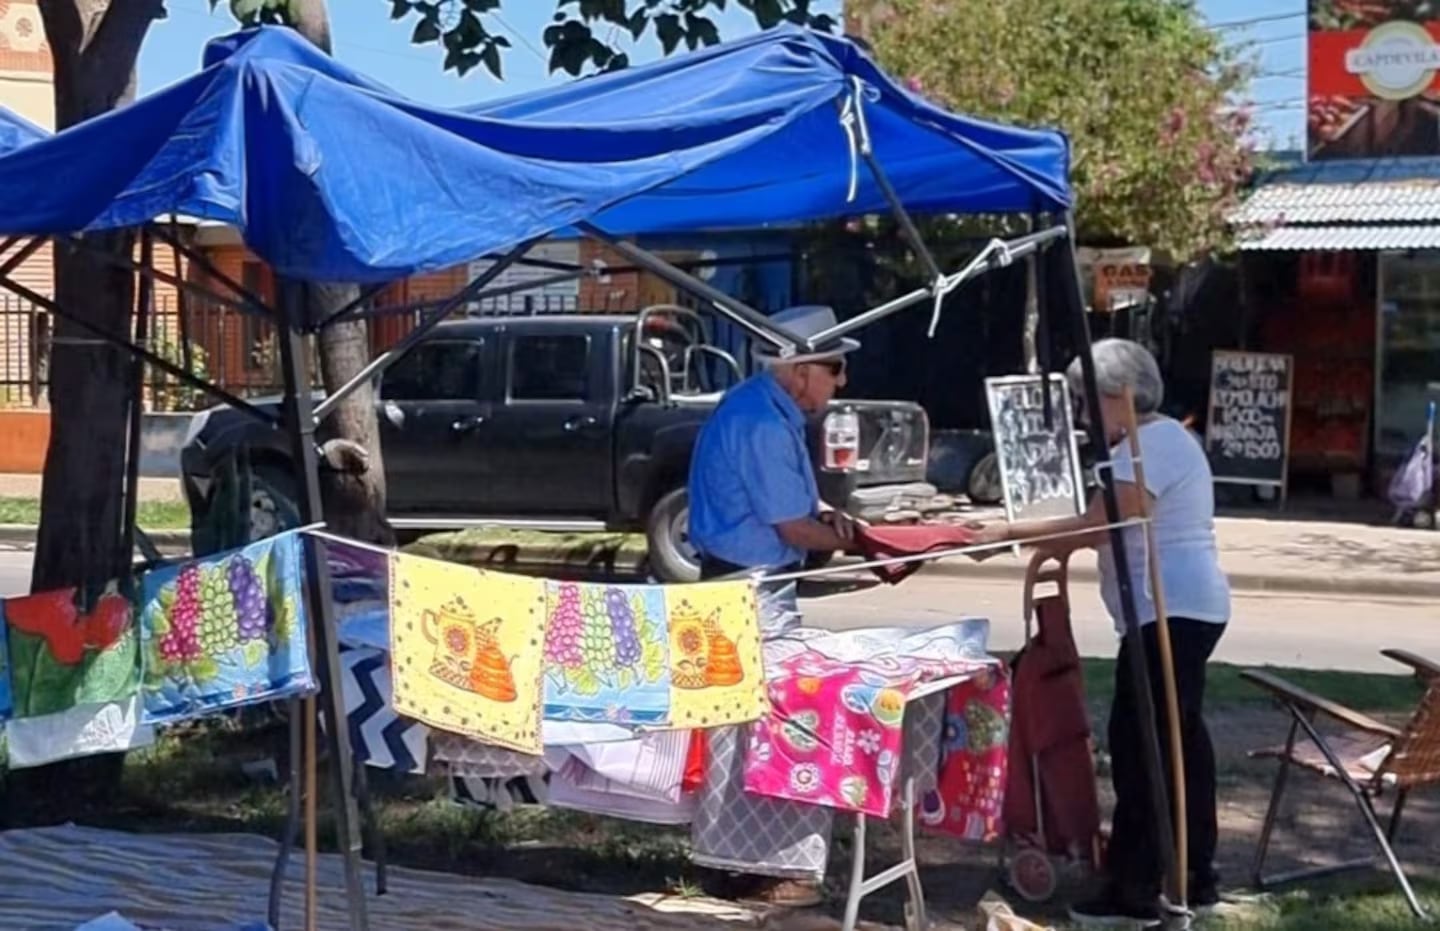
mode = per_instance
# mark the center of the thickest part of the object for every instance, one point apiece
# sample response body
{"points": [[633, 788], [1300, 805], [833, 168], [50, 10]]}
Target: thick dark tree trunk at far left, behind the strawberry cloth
{"points": [[80, 542]]}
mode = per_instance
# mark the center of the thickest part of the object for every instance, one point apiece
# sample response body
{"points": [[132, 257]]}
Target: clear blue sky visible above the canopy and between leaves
{"points": [[369, 41]]}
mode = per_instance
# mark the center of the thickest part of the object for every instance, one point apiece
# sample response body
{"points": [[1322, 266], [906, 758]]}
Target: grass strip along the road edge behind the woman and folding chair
{"points": [[1225, 689]]}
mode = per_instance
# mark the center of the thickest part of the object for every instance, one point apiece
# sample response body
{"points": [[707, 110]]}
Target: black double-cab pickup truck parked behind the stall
{"points": [[568, 422]]}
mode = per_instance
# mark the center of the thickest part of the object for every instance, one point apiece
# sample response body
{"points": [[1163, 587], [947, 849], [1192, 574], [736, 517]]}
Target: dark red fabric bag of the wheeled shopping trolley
{"points": [[1050, 739]]}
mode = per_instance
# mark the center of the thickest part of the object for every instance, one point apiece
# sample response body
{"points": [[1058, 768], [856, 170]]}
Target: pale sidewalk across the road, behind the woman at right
{"points": [[1291, 556]]}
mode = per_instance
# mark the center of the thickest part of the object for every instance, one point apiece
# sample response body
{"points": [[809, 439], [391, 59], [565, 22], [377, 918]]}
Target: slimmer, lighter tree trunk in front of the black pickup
{"points": [[354, 483]]}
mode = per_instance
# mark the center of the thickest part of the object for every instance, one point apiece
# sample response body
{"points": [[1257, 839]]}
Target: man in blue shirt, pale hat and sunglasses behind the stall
{"points": [[755, 506]]}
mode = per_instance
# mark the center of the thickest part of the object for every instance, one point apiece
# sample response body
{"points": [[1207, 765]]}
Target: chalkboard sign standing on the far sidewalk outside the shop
{"points": [[1248, 435]]}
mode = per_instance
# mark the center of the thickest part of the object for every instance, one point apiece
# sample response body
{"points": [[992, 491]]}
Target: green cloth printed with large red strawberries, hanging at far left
{"points": [[64, 655]]}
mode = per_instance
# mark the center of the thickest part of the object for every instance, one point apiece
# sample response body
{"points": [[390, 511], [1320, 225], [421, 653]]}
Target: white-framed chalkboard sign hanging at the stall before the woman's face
{"points": [[1039, 463]]}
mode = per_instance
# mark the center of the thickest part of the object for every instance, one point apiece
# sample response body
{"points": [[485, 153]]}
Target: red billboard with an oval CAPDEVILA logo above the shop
{"points": [[1374, 78]]}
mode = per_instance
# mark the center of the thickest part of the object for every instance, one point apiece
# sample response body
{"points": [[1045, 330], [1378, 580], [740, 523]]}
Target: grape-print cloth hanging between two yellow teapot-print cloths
{"points": [[607, 654]]}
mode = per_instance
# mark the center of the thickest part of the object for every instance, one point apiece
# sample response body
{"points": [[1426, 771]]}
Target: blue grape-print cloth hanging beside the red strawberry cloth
{"points": [[225, 631]]}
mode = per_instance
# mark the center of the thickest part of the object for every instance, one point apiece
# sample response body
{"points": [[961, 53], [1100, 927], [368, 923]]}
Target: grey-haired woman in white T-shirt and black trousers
{"points": [[1197, 602]]}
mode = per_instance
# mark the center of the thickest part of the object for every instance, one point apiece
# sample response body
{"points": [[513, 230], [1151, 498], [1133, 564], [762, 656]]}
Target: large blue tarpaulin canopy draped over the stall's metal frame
{"points": [[333, 178]]}
